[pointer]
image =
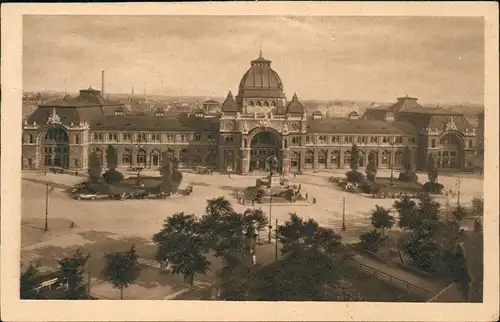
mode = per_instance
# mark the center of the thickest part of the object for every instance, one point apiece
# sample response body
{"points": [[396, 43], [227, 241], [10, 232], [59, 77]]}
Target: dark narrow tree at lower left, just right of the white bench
{"points": [[72, 270]]}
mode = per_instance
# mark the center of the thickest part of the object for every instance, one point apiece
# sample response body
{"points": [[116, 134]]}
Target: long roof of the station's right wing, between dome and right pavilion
{"points": [[359, 126]]}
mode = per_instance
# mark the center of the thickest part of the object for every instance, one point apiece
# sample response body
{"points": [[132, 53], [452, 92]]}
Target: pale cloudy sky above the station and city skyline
{"points": [[437, 59]]}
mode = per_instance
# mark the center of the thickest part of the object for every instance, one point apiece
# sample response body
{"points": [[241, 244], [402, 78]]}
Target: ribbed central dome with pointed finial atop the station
{"points": [[260, 81]]}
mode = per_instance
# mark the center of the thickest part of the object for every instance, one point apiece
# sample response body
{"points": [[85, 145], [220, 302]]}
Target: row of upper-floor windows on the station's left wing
{"points": [[150, 137]]}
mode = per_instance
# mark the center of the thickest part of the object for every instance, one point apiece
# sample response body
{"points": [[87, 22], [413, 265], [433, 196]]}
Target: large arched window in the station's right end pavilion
{"points": [[450, 150]]}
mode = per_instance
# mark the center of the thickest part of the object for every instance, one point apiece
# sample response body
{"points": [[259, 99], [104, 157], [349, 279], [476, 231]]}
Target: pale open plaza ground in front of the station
{"points": [[108, 225]]}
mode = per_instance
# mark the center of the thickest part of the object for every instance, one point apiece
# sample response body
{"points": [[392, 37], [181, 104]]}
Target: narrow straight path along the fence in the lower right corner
{"points": [[427, 284]]}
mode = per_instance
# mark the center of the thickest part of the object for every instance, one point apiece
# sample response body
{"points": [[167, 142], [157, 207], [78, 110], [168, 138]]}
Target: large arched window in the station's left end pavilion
{"points": [[55, 148]]}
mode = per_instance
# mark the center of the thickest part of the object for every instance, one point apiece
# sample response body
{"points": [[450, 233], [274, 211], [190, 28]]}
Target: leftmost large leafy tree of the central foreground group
{"points": [[181, 244]]}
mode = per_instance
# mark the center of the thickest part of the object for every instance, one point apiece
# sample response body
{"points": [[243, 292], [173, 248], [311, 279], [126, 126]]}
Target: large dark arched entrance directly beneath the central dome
{"points": [[263, 145]]}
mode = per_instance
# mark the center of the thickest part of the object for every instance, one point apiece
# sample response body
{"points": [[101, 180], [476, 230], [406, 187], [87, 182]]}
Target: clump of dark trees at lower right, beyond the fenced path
{"points": [[430, 243]]}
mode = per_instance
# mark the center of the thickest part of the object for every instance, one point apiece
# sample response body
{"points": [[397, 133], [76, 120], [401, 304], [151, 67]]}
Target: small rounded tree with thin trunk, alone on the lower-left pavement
{"points": [[122, 268]]}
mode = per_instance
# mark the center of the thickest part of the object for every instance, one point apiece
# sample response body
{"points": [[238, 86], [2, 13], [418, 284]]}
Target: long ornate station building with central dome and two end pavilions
{"points": [[256, 123]]}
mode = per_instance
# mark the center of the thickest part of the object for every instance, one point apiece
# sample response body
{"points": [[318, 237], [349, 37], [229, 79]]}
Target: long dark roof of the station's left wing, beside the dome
{"points": [[182, 122]]}
